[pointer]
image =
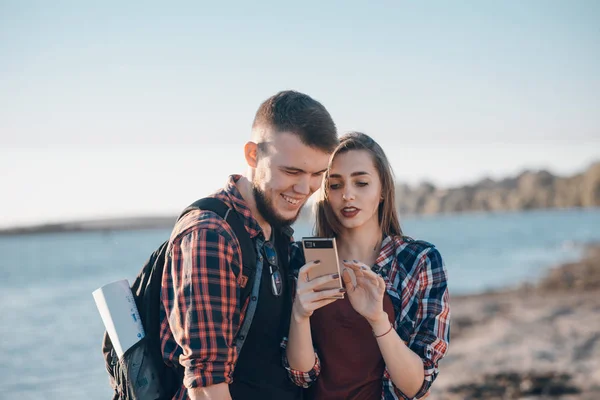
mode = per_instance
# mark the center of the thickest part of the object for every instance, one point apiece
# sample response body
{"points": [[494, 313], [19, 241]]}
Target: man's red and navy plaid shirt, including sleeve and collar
{"points": [[200, 310]]}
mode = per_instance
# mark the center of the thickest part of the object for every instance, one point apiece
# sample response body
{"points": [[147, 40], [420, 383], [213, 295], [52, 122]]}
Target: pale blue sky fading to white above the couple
{"points": [[112, 109]]}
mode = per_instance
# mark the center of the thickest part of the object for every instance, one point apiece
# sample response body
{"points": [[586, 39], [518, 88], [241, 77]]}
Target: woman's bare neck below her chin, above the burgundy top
{"points": [[362, 244]]}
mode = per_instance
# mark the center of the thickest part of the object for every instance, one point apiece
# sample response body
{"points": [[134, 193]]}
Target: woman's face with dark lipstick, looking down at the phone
{"points": [[354, 189]]}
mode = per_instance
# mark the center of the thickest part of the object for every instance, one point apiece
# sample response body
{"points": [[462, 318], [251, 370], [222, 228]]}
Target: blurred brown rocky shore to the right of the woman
{"points": [[537, 341]]}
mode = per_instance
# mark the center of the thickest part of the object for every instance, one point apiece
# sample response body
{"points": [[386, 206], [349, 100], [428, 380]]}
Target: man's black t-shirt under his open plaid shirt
{"points": [[259, 371]]}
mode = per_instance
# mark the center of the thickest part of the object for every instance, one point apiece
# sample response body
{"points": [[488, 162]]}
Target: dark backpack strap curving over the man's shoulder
{"points": [[237, 225]]}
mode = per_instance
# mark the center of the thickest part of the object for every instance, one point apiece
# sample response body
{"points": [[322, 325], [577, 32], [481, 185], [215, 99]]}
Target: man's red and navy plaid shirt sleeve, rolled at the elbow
{"points": [[202, 306]]}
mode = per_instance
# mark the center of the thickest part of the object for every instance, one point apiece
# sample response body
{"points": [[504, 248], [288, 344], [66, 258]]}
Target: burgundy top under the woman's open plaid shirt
{"points": [[351, 363]]}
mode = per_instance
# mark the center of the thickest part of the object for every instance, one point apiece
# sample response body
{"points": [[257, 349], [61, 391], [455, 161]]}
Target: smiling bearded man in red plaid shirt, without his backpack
{"points": [[203, 318]]}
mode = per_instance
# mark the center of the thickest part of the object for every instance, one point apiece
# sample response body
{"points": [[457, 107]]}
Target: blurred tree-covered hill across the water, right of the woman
{"points": [[527, 191]]}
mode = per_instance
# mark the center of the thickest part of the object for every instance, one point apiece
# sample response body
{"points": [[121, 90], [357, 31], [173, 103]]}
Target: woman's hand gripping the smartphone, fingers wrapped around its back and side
{"points": [[308, 296]]}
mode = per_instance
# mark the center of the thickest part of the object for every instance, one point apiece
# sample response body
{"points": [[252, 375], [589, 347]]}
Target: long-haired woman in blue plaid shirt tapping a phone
{"points": [[386, 337]]}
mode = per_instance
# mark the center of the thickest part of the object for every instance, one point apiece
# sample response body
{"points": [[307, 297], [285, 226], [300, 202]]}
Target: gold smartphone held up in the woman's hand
{"points": [[325, 250]]}
